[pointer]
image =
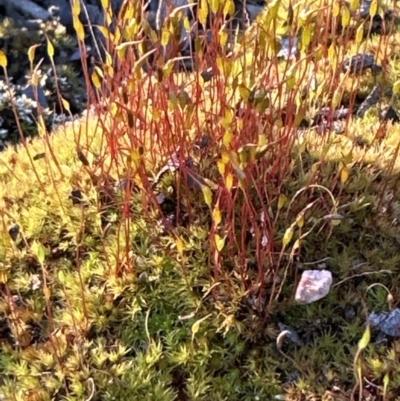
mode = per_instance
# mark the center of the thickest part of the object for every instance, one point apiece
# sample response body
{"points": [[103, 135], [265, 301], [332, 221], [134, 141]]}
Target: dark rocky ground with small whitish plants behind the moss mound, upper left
{"points": [[26, 23]]}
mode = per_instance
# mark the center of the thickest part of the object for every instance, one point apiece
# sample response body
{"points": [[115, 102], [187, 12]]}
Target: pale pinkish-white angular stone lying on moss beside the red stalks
{"points": [[313, 286]]}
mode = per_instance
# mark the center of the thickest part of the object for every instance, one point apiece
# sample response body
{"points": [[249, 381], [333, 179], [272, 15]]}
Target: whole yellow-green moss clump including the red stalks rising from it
{"points": [[152, 249]]}
